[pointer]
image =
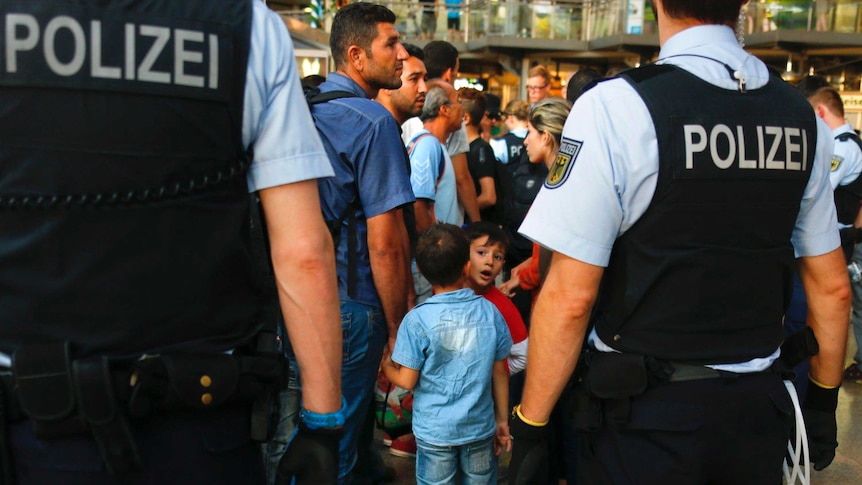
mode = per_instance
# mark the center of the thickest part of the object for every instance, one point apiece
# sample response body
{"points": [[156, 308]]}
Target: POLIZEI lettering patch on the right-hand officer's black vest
{"points": [[735, 150]]}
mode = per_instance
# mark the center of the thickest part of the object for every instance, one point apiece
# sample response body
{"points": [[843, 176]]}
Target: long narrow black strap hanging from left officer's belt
{"points": [[98, 407]]}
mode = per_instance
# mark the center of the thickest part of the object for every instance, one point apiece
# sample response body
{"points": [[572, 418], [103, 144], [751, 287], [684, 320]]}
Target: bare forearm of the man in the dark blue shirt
{"points": [[389, 267]]}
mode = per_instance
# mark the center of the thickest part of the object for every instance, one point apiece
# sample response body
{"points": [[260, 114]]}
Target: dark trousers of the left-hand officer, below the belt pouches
{"points": [[178, 447]]}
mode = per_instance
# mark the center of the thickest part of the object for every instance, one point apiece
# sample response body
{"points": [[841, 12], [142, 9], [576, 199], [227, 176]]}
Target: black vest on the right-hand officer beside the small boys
{"points": [[704, 276]]}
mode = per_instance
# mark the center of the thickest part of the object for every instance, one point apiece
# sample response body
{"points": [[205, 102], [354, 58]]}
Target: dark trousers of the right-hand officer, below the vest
{"points": [[729, 430]]}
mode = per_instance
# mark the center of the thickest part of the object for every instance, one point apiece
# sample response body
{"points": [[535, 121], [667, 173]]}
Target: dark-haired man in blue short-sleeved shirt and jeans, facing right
{"points": [[364, 146]]}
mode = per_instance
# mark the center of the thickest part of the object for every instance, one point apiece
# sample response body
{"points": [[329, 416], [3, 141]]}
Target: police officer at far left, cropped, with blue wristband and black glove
{"points": [[137, 342]]}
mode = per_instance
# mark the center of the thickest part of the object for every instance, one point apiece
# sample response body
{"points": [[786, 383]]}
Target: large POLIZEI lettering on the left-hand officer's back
{"points": [[66, 47]]}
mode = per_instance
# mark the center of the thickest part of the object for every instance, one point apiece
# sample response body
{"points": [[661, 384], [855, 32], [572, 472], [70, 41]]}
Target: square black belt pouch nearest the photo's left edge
{"points": [[44, 382]]}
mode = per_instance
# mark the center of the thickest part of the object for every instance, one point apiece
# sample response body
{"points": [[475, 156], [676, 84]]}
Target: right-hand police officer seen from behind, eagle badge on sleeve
{"points": [[680, 196]]}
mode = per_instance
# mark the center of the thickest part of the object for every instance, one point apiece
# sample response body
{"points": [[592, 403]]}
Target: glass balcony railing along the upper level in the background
{"points": [[593, 19]]}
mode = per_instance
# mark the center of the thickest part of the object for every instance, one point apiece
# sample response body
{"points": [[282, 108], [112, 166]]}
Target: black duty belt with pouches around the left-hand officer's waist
{"points": [[71, 397]]}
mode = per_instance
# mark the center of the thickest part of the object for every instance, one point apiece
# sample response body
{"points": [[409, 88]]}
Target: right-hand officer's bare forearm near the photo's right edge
{"points": [[828, 291]]}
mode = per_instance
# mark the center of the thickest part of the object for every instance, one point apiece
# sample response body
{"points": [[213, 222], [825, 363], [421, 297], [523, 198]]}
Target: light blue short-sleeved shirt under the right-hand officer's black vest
{"points": [[614, 175]]}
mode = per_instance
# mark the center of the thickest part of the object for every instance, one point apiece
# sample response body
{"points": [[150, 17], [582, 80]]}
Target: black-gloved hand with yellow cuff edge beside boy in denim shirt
{"points": [[529, 463]]}
